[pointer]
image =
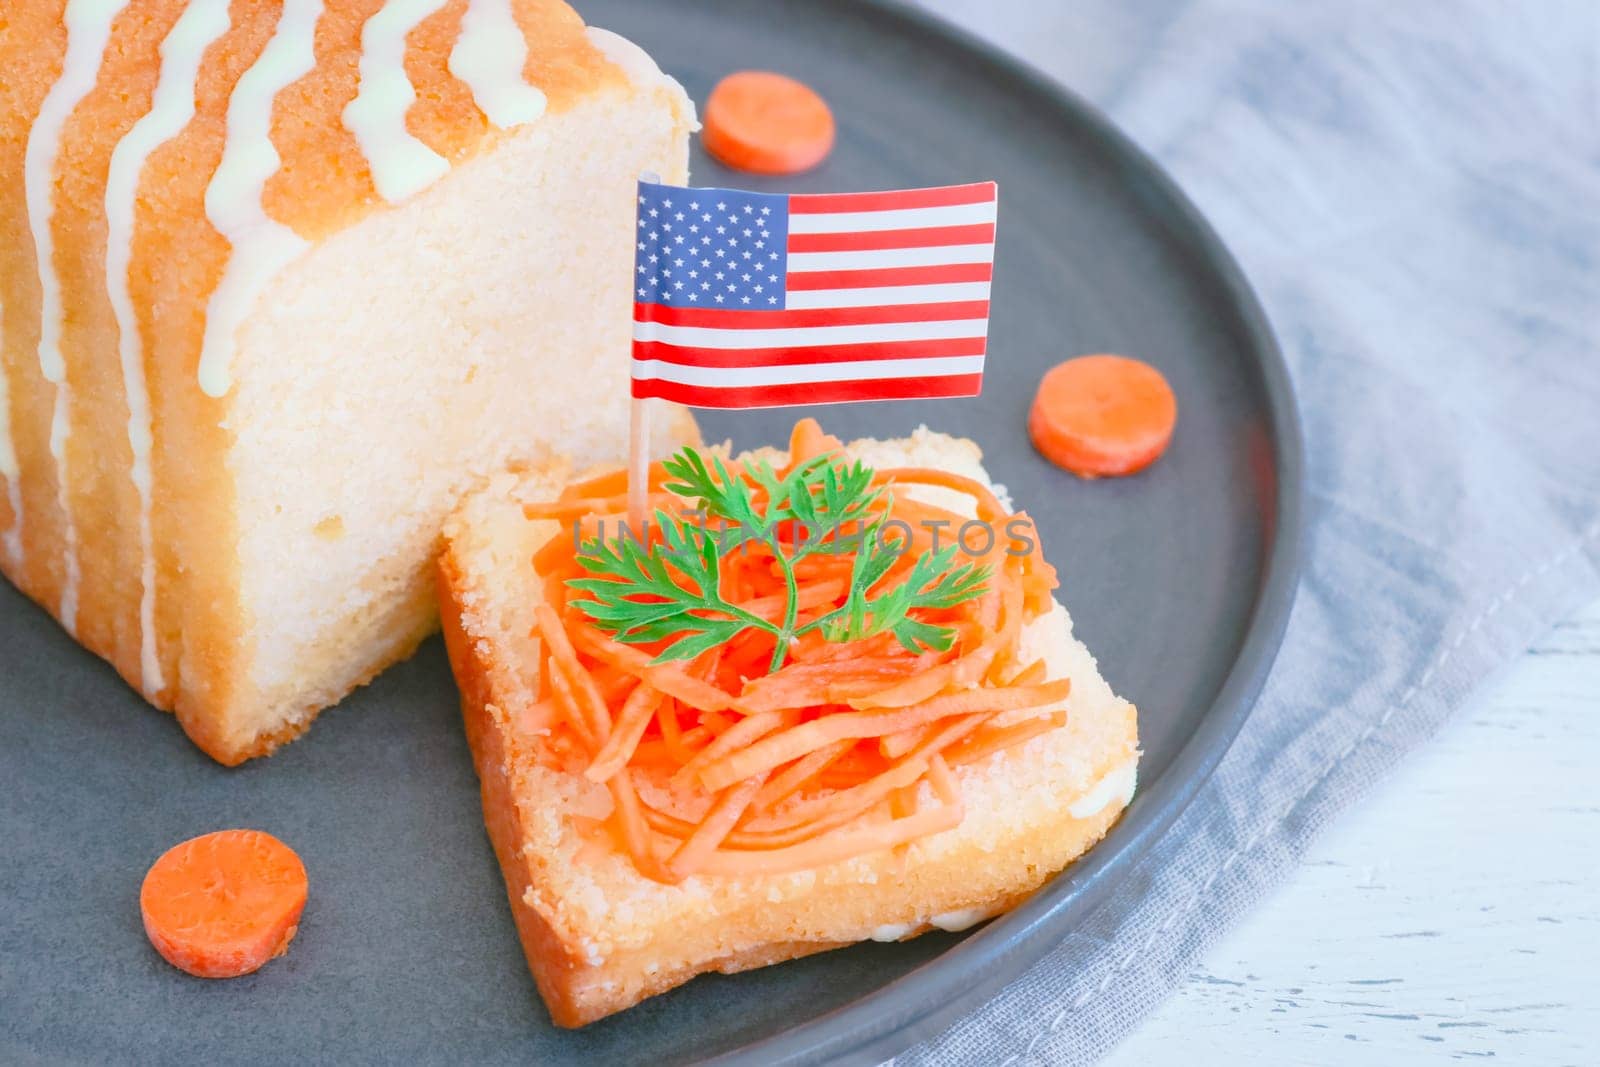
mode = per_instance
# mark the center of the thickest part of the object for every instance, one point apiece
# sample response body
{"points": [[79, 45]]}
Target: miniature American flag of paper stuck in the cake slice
{"points": [[746, 300]]}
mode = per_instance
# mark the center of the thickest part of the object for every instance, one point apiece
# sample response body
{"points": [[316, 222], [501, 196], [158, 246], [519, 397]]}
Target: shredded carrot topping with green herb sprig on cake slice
{"points": [[767, 705]]}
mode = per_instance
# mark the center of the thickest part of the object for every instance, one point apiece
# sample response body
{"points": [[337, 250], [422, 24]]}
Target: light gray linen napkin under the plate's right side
{"points": [[1415, 193]]}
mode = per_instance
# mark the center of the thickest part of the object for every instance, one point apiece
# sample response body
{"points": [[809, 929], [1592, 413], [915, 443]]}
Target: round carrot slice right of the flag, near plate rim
{"points": [[1103, 415]]}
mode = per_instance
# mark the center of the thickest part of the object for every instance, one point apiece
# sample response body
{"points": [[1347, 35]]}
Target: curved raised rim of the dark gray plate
{"points": [[929, 999]]}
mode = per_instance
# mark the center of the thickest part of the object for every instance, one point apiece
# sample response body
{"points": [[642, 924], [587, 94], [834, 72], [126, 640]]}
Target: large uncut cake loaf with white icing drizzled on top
{"points": [[279, 282]]}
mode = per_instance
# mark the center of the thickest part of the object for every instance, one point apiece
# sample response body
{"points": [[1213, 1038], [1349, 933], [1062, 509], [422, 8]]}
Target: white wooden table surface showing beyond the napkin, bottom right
{"points": [[1455, 914]]}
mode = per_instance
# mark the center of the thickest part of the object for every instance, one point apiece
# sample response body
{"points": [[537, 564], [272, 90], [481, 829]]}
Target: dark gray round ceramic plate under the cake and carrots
{"points": [[1180, 580]]}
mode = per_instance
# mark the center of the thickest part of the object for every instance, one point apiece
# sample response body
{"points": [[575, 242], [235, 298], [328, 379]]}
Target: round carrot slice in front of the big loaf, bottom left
{"points": [[223, 905]]}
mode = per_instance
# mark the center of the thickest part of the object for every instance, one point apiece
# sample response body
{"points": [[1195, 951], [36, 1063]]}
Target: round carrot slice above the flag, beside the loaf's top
{"points": [[767, 124]]}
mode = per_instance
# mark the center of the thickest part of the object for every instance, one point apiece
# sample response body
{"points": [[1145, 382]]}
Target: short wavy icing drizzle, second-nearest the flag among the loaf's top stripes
{"points": [[401, 164]]}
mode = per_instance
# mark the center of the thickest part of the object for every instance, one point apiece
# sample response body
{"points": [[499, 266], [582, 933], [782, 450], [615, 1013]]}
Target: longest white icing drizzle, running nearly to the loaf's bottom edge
{"points": [[172, 108]]}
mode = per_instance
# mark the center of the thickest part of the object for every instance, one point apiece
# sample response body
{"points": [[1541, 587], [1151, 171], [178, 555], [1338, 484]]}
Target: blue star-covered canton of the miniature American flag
{"points": [[719, 249]]}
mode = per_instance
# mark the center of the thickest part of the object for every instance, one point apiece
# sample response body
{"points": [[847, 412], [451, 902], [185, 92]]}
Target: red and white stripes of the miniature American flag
{"points": [[887, 298]]}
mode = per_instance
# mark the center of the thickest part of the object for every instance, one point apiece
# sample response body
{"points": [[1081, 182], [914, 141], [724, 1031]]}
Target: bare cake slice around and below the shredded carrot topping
{"points": [[601, 938]]}
